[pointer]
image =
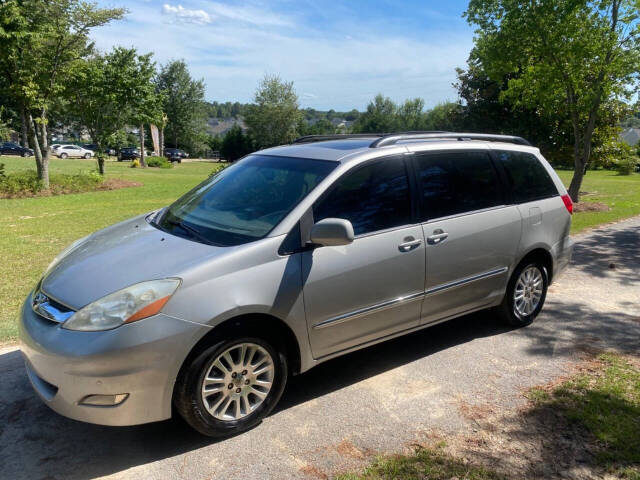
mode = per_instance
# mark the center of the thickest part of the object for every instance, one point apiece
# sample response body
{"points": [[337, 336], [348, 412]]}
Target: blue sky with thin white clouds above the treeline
{"points": [[338, 54]]}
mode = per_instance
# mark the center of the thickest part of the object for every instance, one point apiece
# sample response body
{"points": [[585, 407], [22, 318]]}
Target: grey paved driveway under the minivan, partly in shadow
{"points": [[339, 415]]}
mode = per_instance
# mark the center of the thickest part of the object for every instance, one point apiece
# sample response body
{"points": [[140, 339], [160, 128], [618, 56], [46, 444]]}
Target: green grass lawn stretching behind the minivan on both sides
{"points": [[34, 230]]}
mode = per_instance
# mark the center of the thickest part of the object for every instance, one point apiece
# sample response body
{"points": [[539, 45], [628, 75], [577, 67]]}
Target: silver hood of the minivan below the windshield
{"points": [[118, 256]]}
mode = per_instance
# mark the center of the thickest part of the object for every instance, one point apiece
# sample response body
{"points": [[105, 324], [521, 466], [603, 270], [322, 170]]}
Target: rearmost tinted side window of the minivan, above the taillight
{"points": [[528, 179]]}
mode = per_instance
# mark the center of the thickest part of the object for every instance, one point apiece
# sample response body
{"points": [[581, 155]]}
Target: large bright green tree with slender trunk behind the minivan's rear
{"points": [[570, 56]]}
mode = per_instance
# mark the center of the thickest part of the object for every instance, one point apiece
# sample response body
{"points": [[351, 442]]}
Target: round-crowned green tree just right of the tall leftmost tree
{"points": [[109, 92]]}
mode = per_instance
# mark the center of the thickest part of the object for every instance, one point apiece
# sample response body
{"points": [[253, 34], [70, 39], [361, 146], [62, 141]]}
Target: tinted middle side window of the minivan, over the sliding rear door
{"points": [[457, 182]]}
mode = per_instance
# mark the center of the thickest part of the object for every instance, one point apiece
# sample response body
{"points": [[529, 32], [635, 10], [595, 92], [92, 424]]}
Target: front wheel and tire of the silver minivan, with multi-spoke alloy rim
{"points": [[231, 386]]}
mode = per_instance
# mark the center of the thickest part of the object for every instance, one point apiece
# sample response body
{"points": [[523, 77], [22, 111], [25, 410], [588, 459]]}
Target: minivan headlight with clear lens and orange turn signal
{"points": [[133, 303]]}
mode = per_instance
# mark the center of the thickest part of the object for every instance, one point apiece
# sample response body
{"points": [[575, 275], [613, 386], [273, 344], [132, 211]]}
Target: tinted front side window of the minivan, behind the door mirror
{"points": [[373, 197]]}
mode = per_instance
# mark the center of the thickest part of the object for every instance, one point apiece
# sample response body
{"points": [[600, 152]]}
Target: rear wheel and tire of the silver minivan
{"points": [[525, 295]]}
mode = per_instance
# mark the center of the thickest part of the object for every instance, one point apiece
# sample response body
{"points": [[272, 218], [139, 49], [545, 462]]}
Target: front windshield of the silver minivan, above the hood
{"points": [[244, 202]]}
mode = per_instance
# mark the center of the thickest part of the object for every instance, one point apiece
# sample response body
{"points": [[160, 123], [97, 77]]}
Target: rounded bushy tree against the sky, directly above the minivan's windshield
{"points": [[273, 119]]}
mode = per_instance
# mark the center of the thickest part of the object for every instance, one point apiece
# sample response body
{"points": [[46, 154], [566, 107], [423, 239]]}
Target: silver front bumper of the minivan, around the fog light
{"points": [[141, 359]]}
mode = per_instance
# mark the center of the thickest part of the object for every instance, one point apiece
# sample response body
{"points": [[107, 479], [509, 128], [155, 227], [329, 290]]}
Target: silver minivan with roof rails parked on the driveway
{"points": [[289, 257]]}
